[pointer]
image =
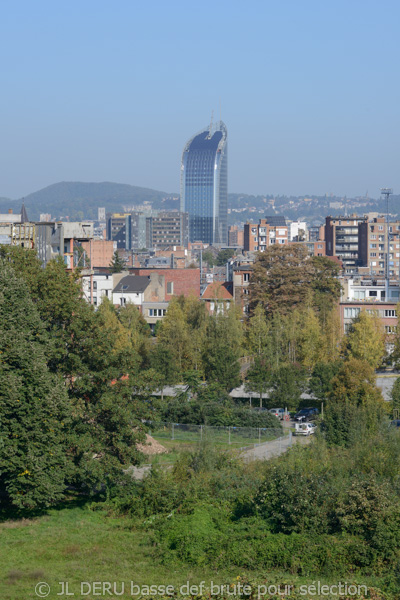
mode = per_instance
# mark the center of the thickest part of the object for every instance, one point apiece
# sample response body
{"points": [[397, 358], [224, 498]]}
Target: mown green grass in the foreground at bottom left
{"points": [[77, 545]]}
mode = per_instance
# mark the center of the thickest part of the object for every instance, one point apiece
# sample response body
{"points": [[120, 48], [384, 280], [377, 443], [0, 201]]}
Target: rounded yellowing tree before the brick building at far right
{"points": [[366, 339]]}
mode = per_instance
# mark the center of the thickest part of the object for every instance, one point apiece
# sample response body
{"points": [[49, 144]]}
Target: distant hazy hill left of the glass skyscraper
{"points": [[81, 200]]}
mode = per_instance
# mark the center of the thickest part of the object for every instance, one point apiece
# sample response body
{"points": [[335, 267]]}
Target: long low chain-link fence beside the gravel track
{"points": [[231, 436]]}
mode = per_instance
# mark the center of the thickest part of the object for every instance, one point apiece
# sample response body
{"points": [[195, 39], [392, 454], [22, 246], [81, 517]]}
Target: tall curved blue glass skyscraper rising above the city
{"points": [[204, 185]]}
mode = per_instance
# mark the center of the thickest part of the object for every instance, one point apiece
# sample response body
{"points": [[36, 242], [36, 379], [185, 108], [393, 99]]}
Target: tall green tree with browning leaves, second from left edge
{"points": [[93, 355]]}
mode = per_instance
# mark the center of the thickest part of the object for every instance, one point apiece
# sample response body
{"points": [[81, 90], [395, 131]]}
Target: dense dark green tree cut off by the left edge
{"points": [[34, 408]]}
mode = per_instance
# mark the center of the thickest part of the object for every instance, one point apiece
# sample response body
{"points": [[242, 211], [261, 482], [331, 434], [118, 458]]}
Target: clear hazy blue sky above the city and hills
{"points": [[111, 91]]}
